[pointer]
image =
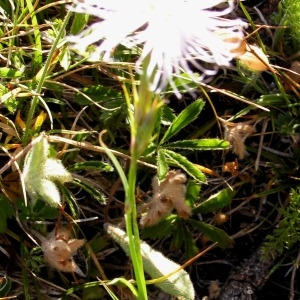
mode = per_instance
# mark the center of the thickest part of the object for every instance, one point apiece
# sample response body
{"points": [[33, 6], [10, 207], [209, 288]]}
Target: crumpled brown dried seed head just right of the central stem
{"points": [[167, 195]]}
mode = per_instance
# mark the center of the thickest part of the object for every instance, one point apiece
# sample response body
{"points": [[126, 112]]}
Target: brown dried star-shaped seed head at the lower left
{"points": [[59, 250]]}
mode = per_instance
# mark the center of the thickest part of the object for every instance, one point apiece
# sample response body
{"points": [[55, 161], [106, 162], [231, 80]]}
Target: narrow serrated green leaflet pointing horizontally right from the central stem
{"points": [[203, 144]]}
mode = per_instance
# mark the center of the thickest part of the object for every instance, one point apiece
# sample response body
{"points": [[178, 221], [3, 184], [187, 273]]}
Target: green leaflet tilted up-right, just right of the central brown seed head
{"points": [[215, 202]]}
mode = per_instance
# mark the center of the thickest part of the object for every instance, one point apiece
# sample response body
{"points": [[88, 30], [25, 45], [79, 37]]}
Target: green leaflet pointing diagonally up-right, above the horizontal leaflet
{"points": [[183, 119]]}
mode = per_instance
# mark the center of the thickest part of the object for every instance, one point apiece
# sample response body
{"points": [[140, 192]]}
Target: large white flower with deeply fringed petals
{"points": [[176, 35]]}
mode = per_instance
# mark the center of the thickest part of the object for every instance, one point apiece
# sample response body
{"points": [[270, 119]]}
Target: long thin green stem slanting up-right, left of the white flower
{"points": [[41, 79]]}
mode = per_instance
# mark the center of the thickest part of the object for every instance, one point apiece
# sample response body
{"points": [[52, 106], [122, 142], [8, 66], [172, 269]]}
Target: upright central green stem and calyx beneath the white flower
{"points": [[142, 123]]}
